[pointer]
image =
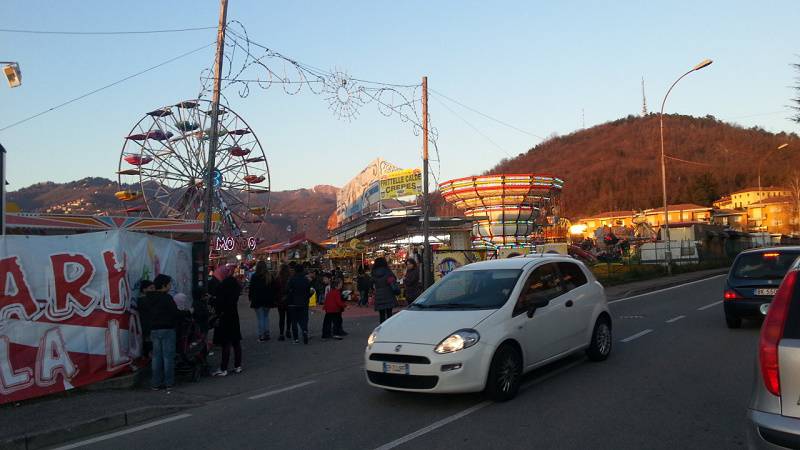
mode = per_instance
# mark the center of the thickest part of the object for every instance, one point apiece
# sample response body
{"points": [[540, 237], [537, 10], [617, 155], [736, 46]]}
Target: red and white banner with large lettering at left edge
{"points": [[65, 317]]}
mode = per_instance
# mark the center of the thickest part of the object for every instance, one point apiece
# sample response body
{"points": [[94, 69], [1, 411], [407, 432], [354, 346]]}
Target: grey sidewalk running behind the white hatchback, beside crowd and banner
{"points": [[39, 423]]}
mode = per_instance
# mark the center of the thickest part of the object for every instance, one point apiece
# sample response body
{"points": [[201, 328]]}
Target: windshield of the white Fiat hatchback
{"points": [[470, 289]]}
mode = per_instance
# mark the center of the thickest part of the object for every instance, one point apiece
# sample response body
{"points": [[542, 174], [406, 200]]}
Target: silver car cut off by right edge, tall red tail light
{"points": [[775, 403]]}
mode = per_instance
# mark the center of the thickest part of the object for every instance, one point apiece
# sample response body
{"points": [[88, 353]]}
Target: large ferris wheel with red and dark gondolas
{"points": [[163, 168]]}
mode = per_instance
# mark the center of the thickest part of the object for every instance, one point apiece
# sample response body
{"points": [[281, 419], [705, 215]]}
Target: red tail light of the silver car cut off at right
{"points": [[772, 331]]}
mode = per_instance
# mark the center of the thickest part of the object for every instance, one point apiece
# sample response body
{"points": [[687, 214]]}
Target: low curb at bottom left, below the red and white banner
{"points": [[68, 433]]}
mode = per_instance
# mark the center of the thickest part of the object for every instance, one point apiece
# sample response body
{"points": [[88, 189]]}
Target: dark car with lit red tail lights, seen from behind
{"points": [[753, 280]]}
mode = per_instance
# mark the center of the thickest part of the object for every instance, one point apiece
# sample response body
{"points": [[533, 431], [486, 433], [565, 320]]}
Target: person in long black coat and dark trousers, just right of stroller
{"points": [[227, 334]]}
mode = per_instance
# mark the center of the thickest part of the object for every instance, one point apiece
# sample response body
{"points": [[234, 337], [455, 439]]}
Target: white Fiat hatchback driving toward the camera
{"points": [[485, 324]]}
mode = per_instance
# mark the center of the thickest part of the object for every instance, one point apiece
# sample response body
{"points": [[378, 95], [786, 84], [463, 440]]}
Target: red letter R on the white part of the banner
{"points": [[69, 288]]}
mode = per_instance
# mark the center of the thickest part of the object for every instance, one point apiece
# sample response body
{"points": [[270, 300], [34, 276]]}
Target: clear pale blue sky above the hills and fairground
{"points": [[543, 67]]}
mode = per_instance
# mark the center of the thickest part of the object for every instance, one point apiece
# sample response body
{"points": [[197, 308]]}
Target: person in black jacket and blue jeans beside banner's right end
{"points": [[162, 315]]}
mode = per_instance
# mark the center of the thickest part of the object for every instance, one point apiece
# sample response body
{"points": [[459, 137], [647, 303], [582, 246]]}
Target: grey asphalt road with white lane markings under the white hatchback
{"points": [[684, 384]]}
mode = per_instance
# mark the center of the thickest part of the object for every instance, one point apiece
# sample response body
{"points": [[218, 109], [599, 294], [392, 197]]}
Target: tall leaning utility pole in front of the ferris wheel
{"points": [[214, 139]]}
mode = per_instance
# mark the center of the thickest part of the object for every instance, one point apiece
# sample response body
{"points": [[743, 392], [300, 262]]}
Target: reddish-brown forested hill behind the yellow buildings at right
{"points": [[616, 165]]}
